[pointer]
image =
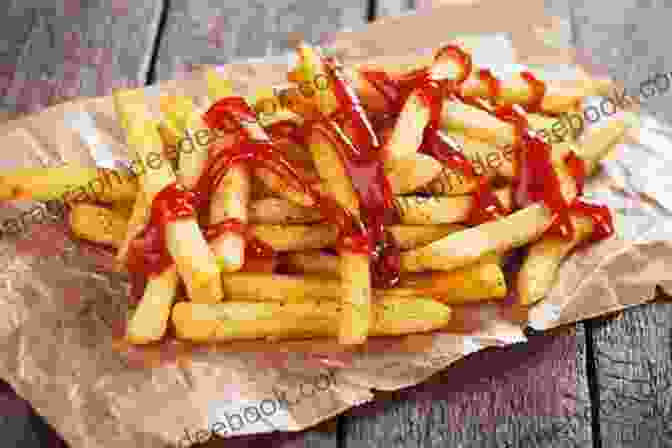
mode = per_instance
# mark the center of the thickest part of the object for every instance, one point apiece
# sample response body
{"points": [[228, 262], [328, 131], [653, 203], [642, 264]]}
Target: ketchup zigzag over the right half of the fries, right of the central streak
{"points": [[535, 180]]}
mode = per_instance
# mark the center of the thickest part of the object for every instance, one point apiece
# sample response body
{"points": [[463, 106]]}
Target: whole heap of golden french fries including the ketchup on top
{"points": [[305, 257]]}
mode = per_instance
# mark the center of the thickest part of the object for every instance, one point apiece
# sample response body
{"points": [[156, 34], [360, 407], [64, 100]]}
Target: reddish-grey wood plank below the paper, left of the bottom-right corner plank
{"points": [[528, 395]]}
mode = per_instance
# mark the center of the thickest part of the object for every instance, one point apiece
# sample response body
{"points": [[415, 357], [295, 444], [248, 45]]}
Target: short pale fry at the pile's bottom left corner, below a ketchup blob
{"points": [[150, 319]]}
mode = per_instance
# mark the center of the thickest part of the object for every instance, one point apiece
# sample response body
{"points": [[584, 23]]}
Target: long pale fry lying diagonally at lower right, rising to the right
{"points": [[465, 247]]}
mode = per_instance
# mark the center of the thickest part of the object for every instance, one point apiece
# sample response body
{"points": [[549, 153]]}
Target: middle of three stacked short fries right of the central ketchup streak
{"points": [[425, 210]]}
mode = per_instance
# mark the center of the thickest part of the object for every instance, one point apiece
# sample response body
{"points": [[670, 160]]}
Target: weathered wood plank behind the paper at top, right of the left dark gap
{"points": [[215, 32]]}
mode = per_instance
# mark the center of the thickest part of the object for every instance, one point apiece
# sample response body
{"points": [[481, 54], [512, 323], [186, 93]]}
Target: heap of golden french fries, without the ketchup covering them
{"points": [[445, 261]]}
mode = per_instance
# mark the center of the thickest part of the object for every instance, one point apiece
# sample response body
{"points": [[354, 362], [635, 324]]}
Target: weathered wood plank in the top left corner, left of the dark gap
{"points": [[70, 48]]}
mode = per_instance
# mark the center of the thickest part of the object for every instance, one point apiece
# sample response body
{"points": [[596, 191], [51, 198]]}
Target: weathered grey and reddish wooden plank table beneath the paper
{"points": [[601, 383]]}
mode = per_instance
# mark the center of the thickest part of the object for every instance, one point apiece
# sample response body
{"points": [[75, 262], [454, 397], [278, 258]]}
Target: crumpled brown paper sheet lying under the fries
{"points": [[61, 301]]}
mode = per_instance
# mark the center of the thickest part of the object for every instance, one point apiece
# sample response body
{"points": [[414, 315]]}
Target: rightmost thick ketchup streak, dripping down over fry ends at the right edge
{"points": [[537, 181]]}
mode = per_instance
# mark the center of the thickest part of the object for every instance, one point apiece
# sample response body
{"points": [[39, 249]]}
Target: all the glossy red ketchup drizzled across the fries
{"points": [[350, 131]]}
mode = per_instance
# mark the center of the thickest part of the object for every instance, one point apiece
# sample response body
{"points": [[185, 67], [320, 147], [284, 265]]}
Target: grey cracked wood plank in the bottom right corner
{"points": [[634, 376]]}
